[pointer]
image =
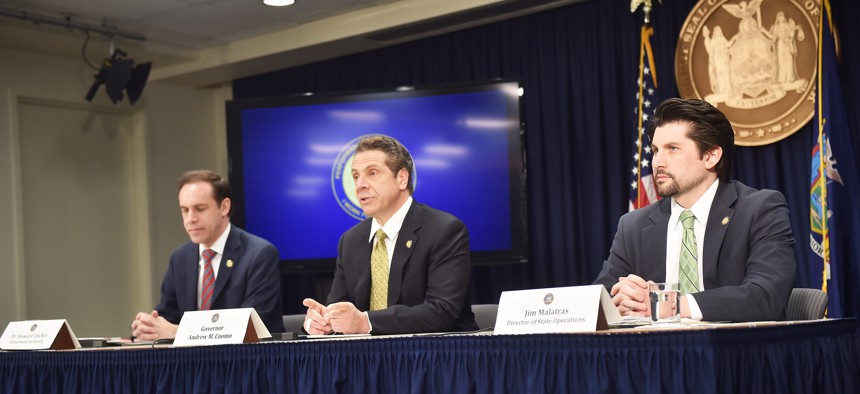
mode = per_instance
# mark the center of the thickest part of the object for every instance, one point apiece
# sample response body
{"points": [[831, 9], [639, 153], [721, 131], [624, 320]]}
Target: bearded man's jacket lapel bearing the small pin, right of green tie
{"points": [[715, 231]]}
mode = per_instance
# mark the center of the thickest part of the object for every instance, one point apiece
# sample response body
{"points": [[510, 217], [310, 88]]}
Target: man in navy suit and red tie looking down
{"points": [[222, 267]]}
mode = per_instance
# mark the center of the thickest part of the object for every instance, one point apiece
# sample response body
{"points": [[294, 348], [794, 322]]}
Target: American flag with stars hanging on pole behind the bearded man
{"points": [[642, 188]]}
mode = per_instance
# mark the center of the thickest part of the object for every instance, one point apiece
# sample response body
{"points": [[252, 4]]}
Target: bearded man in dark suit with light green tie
{"points": [[747, 265]]}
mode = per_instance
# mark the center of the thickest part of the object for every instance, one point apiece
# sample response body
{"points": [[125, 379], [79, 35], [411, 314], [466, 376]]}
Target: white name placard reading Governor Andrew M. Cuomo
{"points": [[220, 327]]}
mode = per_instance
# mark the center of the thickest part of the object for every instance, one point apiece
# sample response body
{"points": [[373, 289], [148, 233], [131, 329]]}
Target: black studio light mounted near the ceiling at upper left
{"points": [[118, 73]]}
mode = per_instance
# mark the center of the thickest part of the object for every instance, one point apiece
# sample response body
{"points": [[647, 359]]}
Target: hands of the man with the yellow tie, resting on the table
{"points": [[340, 317]]}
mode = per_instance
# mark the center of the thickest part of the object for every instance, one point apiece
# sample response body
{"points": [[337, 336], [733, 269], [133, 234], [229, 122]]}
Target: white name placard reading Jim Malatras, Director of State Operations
{"points": [[555, 310]]}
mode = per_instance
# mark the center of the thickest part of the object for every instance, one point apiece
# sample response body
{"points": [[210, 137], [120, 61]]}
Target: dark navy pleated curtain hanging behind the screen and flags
{"points": [[578, 65]]}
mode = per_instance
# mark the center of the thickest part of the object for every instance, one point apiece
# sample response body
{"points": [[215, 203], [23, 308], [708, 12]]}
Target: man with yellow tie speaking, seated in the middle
{"points": [[406, 268]]}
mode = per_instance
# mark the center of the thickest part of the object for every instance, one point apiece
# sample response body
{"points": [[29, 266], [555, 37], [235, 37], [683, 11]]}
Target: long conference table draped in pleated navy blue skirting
{"points": [[784, 357]]}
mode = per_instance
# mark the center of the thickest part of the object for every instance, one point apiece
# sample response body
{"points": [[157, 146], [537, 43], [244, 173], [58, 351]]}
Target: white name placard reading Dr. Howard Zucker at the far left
{"points": [[39, 335]]}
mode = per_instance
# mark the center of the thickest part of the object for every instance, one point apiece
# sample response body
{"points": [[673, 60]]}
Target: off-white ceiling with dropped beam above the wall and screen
{"points": [[206, 42]]}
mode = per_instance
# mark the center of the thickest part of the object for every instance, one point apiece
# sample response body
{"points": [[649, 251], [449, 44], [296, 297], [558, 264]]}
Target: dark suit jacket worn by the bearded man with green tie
{"points": [[748, 262]]}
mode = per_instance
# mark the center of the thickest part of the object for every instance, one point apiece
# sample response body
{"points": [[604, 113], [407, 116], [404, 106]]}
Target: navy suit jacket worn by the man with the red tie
{"points": [[253, 280]]}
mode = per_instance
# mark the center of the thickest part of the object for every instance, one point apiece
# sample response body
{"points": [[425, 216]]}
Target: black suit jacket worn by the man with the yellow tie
{"points": [[429, 277]]}
